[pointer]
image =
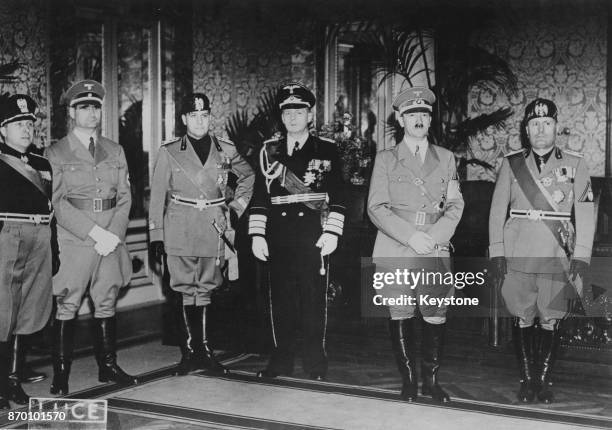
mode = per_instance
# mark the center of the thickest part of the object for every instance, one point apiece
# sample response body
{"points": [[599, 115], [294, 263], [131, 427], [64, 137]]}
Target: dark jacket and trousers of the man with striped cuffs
{"points": [[298, 293]]}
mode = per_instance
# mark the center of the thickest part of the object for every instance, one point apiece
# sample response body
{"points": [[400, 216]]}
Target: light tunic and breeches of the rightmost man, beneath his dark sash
{"points": [[537, 264]]}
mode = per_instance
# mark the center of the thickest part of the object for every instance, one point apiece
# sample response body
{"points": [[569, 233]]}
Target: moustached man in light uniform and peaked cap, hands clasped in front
{"points": [[416, 203]]}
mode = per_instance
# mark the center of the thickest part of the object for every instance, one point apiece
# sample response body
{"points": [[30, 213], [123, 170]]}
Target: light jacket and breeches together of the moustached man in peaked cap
{"points": [[407, 196]]}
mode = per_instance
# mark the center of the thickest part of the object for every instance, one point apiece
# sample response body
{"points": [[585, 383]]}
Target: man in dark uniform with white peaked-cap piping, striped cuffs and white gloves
{"points": [[296, 218]]}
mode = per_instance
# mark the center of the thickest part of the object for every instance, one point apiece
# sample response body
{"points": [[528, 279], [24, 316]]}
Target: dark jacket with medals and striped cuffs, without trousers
{"points": [[317, 166]]}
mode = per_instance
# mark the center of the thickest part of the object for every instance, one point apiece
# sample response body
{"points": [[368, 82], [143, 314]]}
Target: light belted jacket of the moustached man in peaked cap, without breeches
{"points": [[401, 187]]}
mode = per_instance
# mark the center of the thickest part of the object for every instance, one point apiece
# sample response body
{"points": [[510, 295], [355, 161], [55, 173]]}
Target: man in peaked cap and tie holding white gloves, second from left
{"points": [[92, 199]]}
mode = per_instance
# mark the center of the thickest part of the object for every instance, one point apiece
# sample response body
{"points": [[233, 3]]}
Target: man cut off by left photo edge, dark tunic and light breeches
{"points": [[28, 247]]}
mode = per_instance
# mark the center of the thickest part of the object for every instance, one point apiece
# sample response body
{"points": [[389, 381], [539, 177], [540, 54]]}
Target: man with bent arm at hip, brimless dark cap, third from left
{"points": [[188, 219]]}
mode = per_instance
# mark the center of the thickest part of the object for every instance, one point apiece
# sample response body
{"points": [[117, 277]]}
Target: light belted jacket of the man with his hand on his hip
{"points": [[186, 230]]}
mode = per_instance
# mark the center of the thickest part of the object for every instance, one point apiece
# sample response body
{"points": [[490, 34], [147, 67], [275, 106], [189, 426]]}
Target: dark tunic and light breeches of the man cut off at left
{"points": [[25, 248]]}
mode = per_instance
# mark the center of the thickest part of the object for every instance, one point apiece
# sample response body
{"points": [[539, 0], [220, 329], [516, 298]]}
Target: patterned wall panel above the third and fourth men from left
{"points": [[238, 55]]}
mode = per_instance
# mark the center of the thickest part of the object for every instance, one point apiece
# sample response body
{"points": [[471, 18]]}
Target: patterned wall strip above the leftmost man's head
{"points": [[23, 37]]}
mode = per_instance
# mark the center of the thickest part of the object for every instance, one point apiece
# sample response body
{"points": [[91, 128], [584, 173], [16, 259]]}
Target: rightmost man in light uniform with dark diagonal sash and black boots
{"points": [[536, 251]]}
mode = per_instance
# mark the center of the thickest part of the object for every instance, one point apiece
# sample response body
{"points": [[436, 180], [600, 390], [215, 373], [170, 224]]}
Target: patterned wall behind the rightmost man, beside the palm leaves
{"points": [[557, 54]]}
